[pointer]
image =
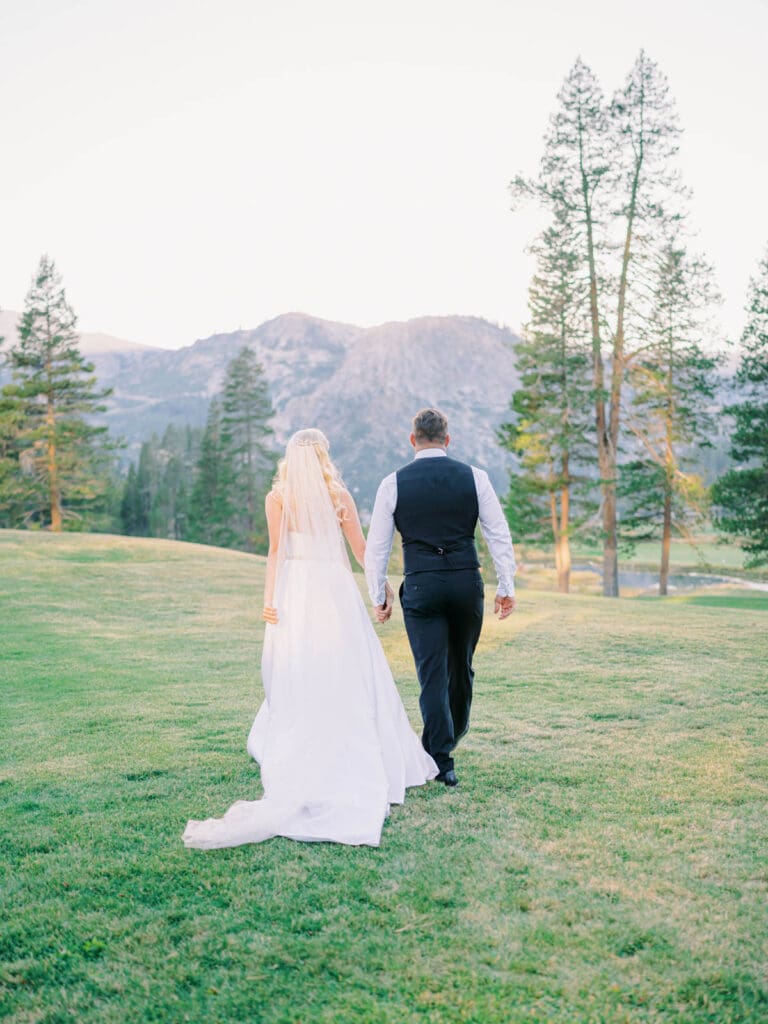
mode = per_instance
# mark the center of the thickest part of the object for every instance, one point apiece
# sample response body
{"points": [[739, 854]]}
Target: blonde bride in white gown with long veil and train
{"points": [[332, 738]]}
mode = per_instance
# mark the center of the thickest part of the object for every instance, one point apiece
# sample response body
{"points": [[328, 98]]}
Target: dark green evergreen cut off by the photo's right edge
{"points": [[742, 495]]}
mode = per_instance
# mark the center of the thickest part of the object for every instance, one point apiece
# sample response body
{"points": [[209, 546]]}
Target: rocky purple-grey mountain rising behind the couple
{"points": [[361, 386]]}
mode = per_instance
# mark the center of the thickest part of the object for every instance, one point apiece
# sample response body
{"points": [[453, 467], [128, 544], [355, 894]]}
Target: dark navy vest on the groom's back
{"points": [[437, 515]]}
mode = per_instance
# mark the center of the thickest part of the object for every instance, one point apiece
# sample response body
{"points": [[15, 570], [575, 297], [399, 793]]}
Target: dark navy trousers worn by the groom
{"points": [[444, 618]]}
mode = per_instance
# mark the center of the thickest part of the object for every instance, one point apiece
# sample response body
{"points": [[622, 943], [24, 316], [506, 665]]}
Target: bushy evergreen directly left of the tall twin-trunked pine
{"points": [[549, 498]]}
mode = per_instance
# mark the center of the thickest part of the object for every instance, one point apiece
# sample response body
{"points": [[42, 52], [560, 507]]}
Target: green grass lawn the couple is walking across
{"points": [[603, 861]]}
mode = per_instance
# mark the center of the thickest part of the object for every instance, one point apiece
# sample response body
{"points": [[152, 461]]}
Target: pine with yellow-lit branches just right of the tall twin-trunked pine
{"points": [[673, 383]]}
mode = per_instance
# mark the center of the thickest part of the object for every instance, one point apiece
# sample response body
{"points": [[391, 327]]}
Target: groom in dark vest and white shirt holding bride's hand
{"points": [[436, 503]]}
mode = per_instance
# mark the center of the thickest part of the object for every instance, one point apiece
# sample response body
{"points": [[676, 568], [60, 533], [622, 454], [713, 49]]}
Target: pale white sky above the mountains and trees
{"points": [[196, 167]]}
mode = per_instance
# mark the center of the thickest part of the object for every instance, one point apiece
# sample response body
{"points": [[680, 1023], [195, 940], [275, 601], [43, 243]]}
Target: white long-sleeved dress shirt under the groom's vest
{"points": [[492, 519]]}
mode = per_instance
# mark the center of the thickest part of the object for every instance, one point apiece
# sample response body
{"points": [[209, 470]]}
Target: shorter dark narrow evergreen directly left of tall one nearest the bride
{"points": [[211, 513]]}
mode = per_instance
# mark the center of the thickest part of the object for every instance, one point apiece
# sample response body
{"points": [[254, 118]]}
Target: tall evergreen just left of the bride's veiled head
{"points": [[247, 437]]}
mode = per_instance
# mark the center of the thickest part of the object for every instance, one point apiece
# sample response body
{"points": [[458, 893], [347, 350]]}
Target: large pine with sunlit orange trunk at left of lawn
{"points": [[66, 455]]}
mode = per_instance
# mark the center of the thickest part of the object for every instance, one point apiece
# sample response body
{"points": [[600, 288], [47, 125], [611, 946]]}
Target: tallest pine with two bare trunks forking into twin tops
{"points": [[613, 168]]}
